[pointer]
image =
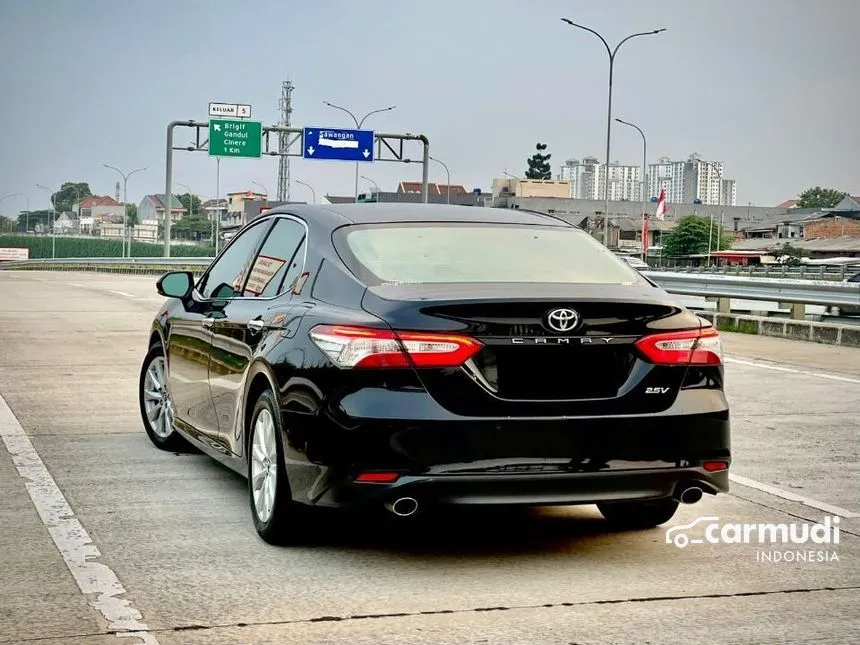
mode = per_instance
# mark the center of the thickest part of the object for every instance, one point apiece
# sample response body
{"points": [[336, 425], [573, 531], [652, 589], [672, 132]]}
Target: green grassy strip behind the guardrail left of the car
{"points": [[81, 247]]}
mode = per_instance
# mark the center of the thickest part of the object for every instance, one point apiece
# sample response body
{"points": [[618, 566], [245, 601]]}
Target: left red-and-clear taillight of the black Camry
{"points": [[364, 347]]}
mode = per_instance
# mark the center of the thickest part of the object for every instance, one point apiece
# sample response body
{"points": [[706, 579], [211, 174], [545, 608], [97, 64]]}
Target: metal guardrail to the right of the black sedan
{"points": [[808, 292]]}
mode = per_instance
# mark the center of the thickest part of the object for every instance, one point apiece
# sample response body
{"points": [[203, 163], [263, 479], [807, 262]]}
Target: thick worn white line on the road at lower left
{"points": [[97, 582]]}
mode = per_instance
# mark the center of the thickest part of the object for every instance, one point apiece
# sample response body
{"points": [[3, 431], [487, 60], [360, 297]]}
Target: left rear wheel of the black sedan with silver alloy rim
{"points": [[277, 518]]}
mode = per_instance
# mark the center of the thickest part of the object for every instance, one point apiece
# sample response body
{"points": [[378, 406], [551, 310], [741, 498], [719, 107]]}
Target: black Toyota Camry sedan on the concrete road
{"points": [[404, 357]]}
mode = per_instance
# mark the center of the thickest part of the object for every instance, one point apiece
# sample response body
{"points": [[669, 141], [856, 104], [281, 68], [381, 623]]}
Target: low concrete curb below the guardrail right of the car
{"points": [[816, 332]]}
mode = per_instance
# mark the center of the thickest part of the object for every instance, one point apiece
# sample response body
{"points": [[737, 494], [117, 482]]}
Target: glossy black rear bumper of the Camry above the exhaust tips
{"points": [[448, 459]]}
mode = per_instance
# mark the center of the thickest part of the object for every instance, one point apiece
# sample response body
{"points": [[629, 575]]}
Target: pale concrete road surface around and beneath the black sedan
{"points": [[102, 533]]}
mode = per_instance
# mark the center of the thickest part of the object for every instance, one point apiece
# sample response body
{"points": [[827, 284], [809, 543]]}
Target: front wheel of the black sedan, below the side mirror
{"points": [[156, 405]]}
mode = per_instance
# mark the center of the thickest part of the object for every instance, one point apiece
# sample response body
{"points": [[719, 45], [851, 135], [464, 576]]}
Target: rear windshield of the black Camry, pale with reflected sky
{"points": [[466, 252]]}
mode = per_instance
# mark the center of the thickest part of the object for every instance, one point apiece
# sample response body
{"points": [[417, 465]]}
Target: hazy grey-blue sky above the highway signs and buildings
{"points": [[769, 87]]}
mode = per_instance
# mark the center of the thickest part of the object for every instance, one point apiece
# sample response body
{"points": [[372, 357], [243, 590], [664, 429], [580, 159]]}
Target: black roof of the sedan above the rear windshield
{"points": [[335, 215]]}
